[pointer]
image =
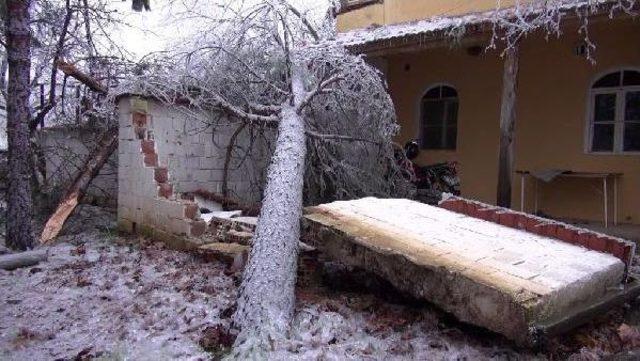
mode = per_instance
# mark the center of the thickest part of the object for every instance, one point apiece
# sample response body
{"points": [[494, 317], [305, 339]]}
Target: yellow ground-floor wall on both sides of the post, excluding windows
{"points": [[551, 121]]}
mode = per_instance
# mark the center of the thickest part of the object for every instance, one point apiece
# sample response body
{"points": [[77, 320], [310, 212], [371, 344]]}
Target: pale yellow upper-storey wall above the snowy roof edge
{"points": [[398, 11]]}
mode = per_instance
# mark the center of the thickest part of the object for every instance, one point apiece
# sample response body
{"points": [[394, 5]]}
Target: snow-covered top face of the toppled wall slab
{"points": [[543, 264]]}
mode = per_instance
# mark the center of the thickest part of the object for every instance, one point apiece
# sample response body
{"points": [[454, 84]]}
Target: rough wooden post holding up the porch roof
{"points": [[507, 127]]}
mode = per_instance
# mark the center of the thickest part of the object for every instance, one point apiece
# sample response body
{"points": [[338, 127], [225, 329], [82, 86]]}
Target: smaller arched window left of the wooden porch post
{"points": [[439, 118]]}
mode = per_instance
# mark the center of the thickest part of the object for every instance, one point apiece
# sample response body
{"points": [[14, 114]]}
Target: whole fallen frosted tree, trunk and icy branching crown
{"points": [[269, 66]]}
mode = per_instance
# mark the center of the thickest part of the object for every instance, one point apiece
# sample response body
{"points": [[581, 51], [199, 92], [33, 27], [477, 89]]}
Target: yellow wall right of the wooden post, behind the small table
{"points": [[552, 122]]}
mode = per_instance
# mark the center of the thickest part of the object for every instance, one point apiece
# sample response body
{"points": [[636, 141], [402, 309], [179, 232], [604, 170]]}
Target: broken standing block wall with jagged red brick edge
{"points": [[163, 153]]}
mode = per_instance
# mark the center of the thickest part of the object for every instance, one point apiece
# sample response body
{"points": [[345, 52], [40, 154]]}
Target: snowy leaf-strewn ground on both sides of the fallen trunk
{"points": [[107, 297]]}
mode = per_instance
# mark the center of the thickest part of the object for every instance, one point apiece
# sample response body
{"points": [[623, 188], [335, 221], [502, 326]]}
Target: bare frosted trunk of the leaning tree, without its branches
{"points": [[266, 297]]}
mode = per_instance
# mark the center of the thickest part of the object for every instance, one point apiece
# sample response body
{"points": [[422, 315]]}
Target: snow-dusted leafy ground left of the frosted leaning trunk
{"points": [[103, 298]]}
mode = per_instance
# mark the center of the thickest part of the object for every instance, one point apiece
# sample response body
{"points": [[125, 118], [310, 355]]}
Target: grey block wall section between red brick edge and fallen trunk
{"points": [[195, 152]]}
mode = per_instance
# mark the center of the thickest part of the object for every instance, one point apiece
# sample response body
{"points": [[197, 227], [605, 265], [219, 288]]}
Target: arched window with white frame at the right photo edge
{"points": [[615, 113]]}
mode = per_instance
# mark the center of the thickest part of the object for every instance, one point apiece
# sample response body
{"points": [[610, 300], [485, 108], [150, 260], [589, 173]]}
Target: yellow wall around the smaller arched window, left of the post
{"points": [[478, 82]]}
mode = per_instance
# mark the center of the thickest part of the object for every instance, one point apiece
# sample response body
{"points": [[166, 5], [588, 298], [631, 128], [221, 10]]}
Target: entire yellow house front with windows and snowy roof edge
{"points": [[575, 147]]}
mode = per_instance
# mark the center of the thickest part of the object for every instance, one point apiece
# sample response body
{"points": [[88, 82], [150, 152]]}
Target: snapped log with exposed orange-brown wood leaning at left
{"points": [[97, 158]]}
